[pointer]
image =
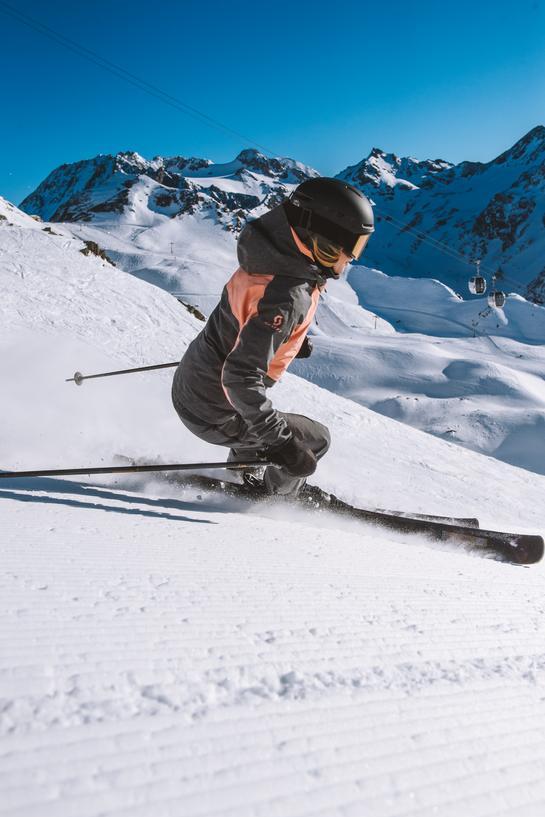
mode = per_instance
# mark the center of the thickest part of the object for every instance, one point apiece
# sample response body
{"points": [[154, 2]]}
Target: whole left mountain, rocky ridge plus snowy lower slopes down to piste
{"points": [[170, 221]]}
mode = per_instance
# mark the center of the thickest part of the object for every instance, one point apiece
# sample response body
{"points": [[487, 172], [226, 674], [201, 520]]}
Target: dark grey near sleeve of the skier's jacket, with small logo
{"points": [[245, 368]]}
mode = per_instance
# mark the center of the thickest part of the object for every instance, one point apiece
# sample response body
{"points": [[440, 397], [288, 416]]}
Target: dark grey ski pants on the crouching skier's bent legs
{"points": [[312, 434]]}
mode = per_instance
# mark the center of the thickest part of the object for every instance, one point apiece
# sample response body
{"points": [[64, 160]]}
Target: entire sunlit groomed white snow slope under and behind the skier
{"points": [[165, 654]]}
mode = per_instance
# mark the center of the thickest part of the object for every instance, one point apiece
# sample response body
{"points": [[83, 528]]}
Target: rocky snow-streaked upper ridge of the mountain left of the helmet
{"points": [[106, 186]]}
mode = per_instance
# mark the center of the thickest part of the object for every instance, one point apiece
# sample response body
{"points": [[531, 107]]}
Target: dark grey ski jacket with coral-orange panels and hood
{"points": [[254, 333]]}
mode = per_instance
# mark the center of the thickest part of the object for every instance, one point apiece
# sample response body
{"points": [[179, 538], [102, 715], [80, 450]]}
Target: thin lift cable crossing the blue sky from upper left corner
{"points": [[122, 73]]}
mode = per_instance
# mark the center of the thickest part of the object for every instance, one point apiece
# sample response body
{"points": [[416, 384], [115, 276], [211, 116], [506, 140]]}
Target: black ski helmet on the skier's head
{"points": [[334, 209]]}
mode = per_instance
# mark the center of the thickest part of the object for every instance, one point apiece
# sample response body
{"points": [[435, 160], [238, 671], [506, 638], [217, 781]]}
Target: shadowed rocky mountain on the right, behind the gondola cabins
{"points": [[434, 218]]}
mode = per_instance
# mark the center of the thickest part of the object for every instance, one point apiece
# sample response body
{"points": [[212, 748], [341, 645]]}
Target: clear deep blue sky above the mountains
{"points": [[320, 83]]}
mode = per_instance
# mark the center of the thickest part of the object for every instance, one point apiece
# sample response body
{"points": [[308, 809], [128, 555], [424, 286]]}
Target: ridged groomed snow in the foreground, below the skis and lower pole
{"points": [[171, 668]]}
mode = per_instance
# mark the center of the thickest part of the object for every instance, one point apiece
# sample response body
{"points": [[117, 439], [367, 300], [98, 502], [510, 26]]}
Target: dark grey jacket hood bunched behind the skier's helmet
{"points": [[266, 247]]}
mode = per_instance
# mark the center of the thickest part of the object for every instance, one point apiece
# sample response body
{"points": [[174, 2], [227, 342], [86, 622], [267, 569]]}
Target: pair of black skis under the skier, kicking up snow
{"points": [[515, 548]]}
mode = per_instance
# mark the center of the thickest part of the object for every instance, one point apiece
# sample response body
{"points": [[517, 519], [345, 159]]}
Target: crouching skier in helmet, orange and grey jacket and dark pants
{"points": [[286, 257]]}
